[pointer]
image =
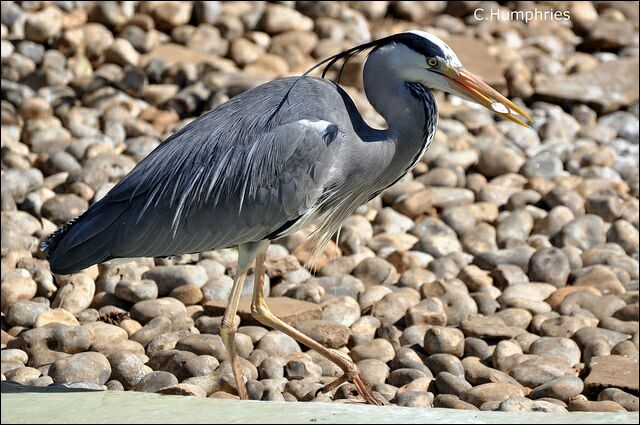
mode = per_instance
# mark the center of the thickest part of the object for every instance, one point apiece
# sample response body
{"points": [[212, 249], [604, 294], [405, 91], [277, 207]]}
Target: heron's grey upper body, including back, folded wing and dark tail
{"points": [[243, 172]]}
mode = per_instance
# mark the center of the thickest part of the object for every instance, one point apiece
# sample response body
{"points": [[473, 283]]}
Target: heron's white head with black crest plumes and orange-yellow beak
{"points": [[420, 57]]}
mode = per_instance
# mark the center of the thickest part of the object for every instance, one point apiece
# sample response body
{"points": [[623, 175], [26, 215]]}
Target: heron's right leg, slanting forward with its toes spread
{"points": [[261, 312]]}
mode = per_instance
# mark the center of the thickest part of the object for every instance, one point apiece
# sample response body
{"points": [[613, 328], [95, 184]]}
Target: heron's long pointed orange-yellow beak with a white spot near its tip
{"points": [[473, 88]]}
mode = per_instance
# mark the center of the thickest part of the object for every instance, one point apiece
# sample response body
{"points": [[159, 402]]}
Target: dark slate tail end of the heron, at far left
{"points": [[83, 241]]}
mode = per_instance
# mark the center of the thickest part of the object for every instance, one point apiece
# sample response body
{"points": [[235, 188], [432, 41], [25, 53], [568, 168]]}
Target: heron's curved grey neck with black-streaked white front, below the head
{"points": [[409, 109]]}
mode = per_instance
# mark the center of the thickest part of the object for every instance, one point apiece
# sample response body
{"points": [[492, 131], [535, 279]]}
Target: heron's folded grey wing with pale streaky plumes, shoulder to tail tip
{"points": [[190, 197]]}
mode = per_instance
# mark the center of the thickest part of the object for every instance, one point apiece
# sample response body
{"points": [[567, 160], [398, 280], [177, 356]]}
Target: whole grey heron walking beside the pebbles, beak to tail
{"points": [[269, 160]]}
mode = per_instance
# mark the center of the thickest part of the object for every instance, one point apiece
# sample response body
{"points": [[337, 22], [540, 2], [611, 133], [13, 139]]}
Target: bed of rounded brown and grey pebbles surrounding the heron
{"points": [[501, 275]]}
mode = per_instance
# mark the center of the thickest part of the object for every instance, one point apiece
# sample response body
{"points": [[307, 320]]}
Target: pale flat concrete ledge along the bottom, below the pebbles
{"points": [[57, 405]]}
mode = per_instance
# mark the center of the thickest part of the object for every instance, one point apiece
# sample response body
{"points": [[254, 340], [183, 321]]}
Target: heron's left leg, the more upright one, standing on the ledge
{"points": [[246, 254]]}
